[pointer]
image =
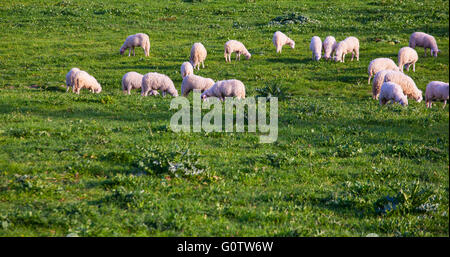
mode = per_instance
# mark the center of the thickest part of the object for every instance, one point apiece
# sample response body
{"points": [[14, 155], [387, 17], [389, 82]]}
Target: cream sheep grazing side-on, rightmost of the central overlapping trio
{"points": [[226, 88]]}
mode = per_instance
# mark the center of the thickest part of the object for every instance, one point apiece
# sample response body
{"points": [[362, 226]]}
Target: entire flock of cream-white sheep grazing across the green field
{"points": [[389, 81]]}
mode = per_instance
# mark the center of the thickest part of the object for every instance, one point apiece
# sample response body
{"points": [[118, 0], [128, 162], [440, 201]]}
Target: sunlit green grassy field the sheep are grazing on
{"points": [[342, 166]]}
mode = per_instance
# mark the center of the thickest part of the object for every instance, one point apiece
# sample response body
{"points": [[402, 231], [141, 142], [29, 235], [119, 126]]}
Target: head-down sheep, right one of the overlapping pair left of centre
{"points": [[156, 81]]}
